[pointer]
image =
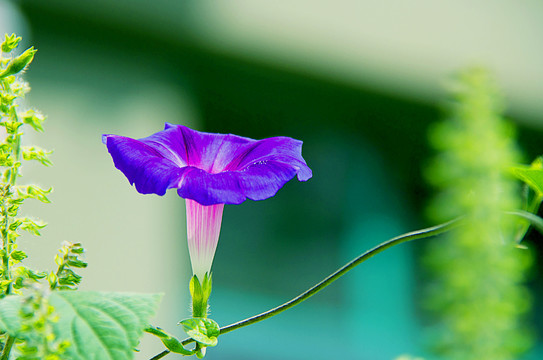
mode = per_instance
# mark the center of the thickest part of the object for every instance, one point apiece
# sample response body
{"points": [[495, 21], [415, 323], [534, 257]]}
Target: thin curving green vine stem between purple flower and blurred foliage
{"points": [[419, 234]]}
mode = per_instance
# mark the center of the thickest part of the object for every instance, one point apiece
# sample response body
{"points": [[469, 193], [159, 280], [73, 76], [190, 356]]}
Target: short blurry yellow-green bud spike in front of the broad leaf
{"points": [[40, 343]]}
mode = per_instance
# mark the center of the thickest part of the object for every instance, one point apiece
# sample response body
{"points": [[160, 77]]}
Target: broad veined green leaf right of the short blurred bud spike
{"points": [[99, 325]]}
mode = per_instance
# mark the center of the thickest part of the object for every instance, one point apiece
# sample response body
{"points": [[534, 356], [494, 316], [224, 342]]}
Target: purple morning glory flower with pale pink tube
{"points": [[208, 170]]}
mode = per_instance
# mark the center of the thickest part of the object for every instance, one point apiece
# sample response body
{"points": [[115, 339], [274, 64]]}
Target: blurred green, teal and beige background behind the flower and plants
{"points": [[358, 82]]}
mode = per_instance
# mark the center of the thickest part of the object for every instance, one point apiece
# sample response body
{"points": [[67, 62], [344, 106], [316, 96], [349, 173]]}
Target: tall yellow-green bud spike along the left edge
{"points": [[14, 276]]}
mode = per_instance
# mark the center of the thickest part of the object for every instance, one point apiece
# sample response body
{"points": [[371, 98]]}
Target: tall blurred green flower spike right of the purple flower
{"points": [[477, 290]]}
